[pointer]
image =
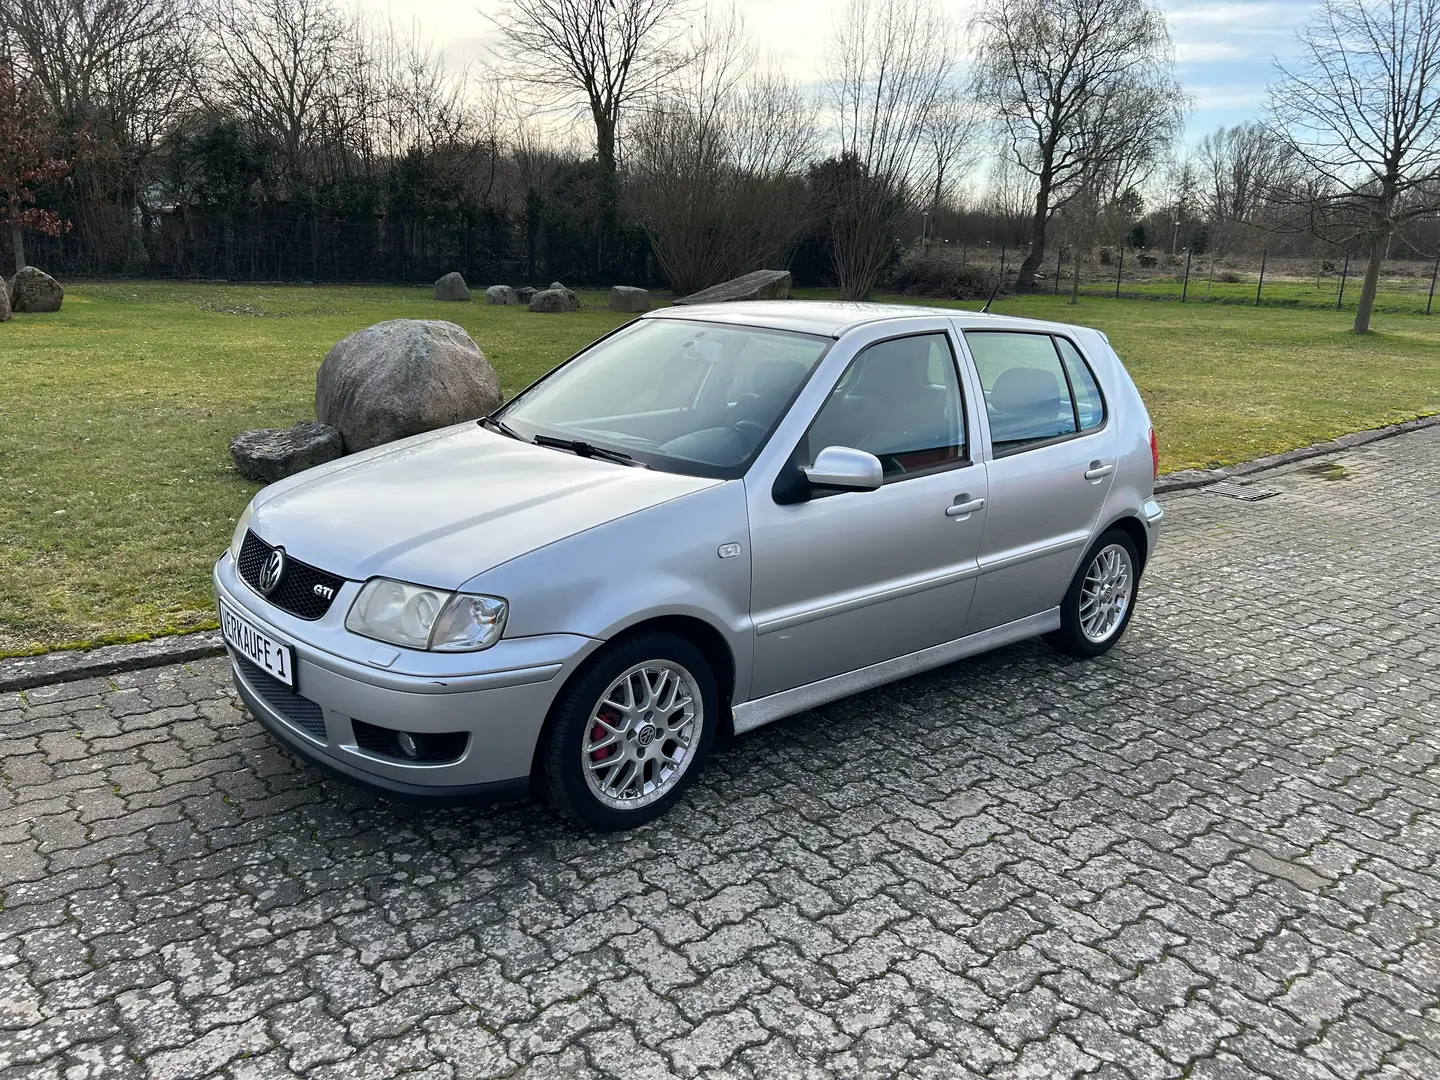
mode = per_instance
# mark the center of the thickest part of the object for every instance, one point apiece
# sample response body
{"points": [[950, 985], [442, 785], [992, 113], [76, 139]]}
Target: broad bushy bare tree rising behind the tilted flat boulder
{"points": [[716, 165]]}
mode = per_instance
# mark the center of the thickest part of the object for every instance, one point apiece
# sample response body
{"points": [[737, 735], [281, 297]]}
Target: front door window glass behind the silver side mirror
{"points": [[901, 401]]}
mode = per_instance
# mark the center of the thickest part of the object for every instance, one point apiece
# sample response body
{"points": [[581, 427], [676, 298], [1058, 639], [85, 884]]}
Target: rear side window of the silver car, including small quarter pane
{"points": [[1038, 388]]}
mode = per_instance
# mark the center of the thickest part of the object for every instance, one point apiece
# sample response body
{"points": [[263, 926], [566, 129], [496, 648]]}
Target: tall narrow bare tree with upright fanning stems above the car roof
{"points": [[889, 68]]}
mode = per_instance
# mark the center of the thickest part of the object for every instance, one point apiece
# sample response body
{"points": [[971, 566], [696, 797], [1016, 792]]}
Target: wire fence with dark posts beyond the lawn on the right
{"points": [[1405, 287]]}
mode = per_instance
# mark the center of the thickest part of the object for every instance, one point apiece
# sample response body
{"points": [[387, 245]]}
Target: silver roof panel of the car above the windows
{"points": [[834, 318]]}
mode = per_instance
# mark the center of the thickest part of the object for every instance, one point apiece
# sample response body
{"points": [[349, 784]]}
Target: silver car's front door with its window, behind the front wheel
{"points": [[842, 581]]}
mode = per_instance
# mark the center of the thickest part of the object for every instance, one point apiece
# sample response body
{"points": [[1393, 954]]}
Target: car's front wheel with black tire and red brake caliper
{"points": [[631, 735]]}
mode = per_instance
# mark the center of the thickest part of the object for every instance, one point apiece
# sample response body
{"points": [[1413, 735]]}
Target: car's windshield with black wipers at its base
{"points": [[696, 398]]}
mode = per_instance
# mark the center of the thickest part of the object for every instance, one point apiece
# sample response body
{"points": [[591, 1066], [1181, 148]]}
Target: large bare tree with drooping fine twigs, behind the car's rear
{"points": [[1075, 84]]}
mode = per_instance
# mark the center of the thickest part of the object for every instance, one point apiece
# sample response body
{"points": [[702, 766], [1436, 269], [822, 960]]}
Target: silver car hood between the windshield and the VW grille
{"points": [[447, 506]]}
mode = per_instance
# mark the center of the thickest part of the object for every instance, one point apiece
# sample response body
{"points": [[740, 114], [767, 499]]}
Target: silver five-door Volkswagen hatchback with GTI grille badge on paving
{"points": [[712, 519]]}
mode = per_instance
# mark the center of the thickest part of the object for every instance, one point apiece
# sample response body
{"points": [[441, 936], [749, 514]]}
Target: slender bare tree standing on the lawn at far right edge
{"points": [[1362, 112]]}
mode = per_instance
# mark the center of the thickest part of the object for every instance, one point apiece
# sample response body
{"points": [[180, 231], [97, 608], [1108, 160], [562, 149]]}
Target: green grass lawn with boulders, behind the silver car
{"points": [[117, 489]]}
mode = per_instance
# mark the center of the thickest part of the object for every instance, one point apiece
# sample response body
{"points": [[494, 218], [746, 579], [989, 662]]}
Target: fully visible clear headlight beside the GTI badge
{"points": [[424, 618]]}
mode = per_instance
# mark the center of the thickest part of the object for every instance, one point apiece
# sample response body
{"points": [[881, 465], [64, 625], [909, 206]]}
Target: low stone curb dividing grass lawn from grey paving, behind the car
{"points": [[67, 666]]}
